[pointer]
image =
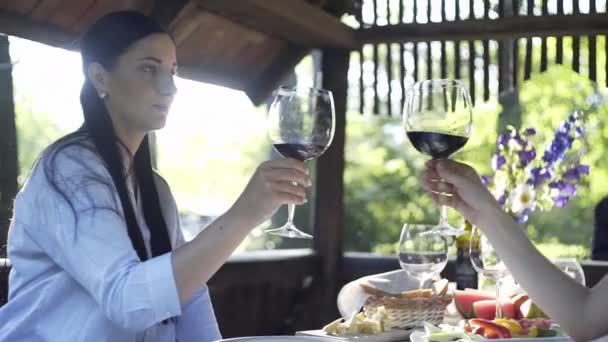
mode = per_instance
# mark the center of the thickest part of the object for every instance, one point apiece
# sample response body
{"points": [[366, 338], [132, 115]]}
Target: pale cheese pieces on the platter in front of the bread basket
{"points": [[358, 323]]}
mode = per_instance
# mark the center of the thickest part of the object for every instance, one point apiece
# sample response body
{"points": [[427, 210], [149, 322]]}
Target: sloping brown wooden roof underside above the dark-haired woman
{"points": [[248, 45]]}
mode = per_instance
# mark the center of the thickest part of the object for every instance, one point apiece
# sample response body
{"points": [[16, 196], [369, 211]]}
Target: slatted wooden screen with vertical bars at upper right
{"points": [[491, 49]]}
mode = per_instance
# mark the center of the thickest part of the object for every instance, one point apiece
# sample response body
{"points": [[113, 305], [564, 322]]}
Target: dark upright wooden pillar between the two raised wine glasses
{"points": [[328, 213]]}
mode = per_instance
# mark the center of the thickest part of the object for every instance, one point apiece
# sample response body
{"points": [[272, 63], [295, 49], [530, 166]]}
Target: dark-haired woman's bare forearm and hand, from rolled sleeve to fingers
{"points": [[270, 187]]}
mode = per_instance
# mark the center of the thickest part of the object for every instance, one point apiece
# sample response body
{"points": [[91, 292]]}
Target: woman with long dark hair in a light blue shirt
{"points": [[95, 242]]}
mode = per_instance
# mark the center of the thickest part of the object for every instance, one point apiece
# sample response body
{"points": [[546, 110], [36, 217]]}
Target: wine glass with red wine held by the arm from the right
{"points": [[437, 117]]}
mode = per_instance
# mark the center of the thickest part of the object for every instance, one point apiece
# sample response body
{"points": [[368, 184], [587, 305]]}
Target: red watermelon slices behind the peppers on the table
{"points": [[476, 304]]}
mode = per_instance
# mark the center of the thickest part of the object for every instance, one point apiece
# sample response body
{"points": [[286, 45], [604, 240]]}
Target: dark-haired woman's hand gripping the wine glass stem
{"points": [[270, 187]]}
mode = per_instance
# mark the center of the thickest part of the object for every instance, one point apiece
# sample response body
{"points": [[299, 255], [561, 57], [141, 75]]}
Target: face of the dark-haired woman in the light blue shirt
{"points": [[140, 88]]}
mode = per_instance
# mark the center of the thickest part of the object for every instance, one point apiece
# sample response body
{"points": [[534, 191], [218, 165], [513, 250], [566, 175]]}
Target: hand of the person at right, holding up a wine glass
{"points": [[469, 196]]}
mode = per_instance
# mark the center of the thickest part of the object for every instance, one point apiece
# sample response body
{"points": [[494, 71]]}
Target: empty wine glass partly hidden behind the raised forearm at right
{"points": [[486, 261]]}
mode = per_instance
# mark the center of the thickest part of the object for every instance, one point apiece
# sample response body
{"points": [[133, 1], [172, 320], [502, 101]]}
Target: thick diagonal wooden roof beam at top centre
{"points": [[296, 21]]}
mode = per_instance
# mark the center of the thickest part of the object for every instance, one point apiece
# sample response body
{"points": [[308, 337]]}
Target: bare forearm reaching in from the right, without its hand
{"points": [[579, 310]]}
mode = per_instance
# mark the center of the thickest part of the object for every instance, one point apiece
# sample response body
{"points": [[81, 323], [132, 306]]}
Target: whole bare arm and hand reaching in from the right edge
{"points": [[580, 311]]}
